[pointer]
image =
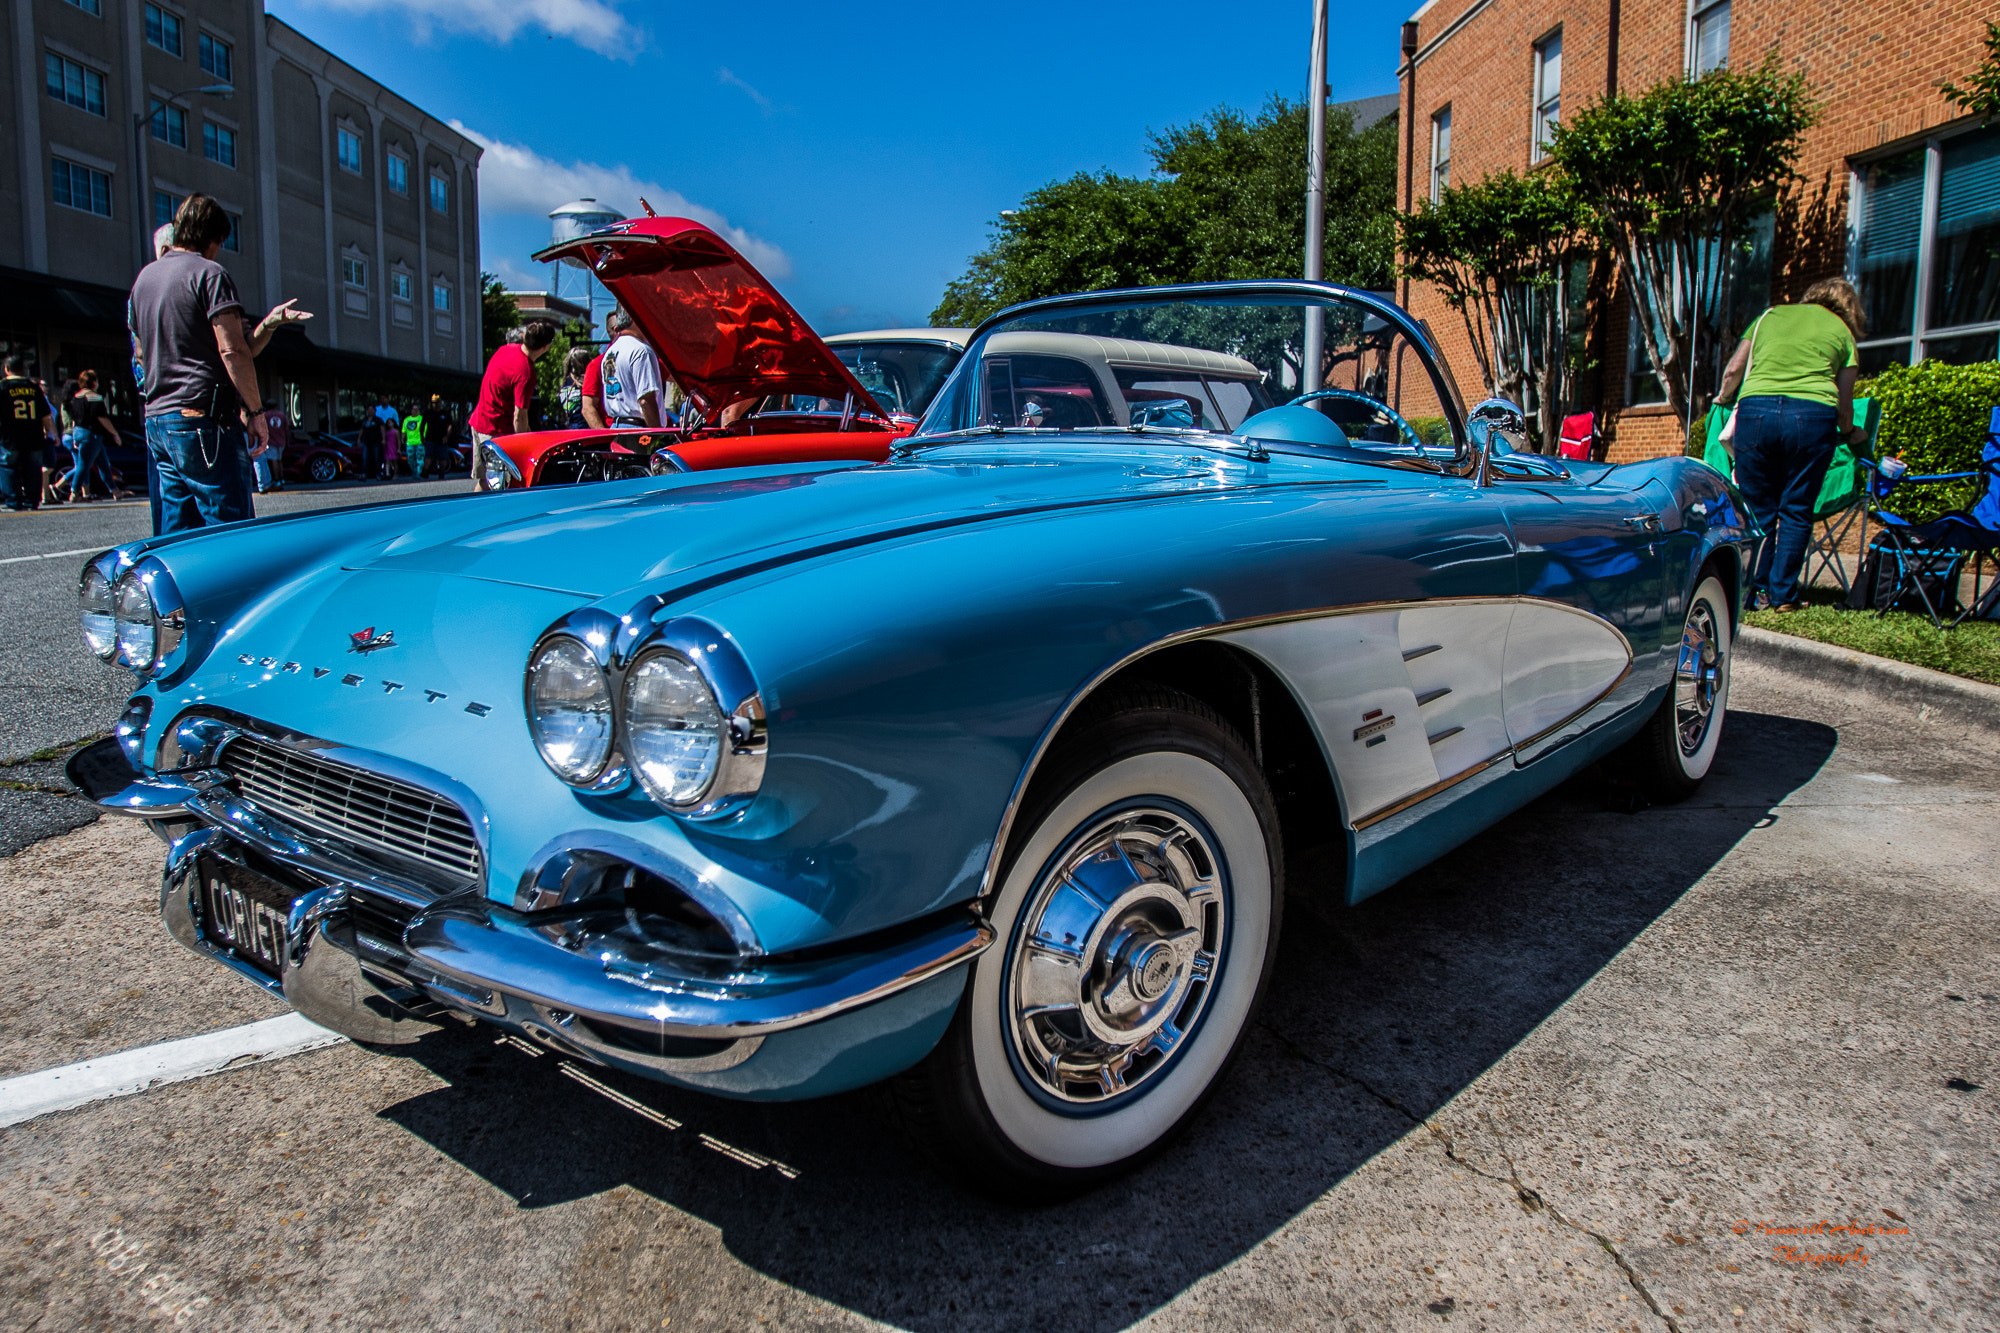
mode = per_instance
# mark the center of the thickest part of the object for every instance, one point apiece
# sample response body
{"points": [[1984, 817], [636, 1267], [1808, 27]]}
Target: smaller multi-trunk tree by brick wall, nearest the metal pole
{"points": [[1513, 255]]}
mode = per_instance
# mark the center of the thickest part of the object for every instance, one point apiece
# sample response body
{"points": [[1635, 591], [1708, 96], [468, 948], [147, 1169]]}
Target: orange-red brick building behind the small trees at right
{"points": [[1901, 193]]}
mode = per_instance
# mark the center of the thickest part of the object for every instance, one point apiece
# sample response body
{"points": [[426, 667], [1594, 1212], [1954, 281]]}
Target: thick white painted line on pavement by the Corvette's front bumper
{"points": [[171, 1062]]}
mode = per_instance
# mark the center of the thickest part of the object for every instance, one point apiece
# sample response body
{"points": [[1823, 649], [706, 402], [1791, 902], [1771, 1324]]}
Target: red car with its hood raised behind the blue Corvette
{"points": [[729, 339]]}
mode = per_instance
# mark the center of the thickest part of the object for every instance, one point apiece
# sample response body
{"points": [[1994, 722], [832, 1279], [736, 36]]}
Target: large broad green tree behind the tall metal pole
{"points": [[1227, 199]]}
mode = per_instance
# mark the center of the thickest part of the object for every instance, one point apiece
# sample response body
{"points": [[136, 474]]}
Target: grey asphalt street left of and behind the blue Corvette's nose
{"points": [[51, 690]]}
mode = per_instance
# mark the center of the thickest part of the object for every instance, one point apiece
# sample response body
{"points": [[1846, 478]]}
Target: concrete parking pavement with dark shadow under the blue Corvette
{"points": [[1591, 1072]]}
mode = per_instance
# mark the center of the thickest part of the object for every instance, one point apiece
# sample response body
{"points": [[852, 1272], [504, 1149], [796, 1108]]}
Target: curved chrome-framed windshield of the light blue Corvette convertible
{"points": [[1237, 363]]}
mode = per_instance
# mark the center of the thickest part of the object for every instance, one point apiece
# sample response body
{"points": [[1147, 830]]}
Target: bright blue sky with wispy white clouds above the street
{"points": [[857, 153]]}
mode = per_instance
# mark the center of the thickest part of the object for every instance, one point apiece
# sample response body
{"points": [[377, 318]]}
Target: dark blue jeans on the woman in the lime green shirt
{"points": [[1783, 447]]}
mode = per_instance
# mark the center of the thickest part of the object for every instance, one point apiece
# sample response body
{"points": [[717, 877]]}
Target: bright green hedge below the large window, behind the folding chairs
{"points": [[1935, 419]]}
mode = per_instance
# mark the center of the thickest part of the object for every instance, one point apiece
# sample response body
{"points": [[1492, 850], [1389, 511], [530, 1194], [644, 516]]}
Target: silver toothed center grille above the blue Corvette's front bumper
{"points": [[363, 808]]}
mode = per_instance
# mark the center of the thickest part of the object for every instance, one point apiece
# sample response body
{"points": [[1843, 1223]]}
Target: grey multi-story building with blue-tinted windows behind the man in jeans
{"points": [[345, 197]]}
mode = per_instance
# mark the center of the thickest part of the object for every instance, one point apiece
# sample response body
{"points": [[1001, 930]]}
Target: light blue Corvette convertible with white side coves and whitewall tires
{"points": [[975, 772]]}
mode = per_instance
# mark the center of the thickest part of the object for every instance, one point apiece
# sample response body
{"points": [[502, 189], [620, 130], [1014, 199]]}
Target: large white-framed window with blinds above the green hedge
{"points": [[1933, 287]]}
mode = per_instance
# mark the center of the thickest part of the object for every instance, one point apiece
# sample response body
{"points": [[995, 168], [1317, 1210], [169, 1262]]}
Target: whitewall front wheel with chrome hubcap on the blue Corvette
{"points": [[1137, 922]]}
